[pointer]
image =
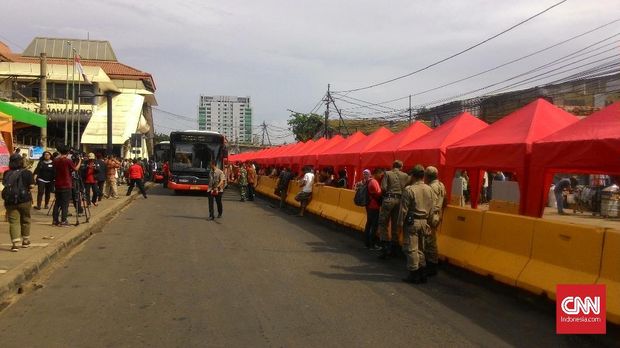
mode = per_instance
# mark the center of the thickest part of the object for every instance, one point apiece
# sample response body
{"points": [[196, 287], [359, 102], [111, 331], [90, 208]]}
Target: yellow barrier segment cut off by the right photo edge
{"points": [[610, 274]]}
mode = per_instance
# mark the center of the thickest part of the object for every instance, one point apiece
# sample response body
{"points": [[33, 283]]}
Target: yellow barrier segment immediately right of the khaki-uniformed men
{"points": [[459, 236]]}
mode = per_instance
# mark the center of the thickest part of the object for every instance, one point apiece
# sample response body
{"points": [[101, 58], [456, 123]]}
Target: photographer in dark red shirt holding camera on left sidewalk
{"points": [[63, 167]]}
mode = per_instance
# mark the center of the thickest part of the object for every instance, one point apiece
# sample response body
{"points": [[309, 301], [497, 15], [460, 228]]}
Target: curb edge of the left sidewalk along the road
{"points": [[35, 264]]}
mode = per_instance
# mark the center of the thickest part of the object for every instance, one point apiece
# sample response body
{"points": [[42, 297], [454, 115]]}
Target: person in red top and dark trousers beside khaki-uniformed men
{"points": [[372, 209]]}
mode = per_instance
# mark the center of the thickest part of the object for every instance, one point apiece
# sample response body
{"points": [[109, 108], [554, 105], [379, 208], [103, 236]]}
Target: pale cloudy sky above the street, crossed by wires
{"points": [[283, 54]]}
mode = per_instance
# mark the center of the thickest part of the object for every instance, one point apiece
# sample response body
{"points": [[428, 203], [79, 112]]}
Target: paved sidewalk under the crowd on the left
{"points": [[50, 242]]}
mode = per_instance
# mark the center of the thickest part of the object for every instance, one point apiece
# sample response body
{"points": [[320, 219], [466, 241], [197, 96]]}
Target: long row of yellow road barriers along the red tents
{"points": [[533, 254]]}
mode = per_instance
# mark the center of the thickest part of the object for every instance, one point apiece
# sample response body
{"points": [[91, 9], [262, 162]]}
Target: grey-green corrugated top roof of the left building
{"points": [[61, 48]]}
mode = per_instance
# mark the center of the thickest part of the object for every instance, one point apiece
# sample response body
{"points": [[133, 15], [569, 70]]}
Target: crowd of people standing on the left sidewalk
{"points": [[73, 177]]}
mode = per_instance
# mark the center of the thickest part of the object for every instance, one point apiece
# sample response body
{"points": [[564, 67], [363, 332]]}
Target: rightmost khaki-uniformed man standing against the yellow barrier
{"points": [[439, 202]]}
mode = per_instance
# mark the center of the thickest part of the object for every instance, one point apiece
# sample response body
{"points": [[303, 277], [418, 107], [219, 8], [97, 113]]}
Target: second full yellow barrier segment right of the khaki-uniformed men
{"points": [[505, 246]]}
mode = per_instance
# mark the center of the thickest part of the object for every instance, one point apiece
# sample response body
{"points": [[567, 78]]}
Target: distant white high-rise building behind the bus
{"points": [[228, 115]]}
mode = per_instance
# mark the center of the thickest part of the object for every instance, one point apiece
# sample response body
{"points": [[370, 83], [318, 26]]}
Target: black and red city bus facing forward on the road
{"points": [[191, 153]]}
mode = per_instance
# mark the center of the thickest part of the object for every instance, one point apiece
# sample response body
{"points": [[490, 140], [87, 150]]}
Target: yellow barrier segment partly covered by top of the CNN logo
{"points": [[562, 254]]}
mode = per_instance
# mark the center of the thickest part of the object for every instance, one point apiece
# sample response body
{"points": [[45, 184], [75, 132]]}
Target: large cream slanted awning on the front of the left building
{"points": [[126, 113]]}
